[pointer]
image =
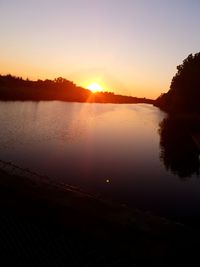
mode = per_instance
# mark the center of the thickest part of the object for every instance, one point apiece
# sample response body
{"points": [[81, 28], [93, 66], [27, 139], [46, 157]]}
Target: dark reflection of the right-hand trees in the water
{"points": [[178, 151]]}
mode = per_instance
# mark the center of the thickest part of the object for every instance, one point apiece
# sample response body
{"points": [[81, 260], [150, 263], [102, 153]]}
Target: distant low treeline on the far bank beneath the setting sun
{"points": [[15, 88]]}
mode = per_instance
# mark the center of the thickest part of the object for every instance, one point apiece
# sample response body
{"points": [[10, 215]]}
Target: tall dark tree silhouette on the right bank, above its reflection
{"points": [[184, 93]]}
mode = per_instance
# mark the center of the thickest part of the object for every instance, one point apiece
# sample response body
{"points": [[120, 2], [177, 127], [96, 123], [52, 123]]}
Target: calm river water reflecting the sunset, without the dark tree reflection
{"points": [[87, 144]]}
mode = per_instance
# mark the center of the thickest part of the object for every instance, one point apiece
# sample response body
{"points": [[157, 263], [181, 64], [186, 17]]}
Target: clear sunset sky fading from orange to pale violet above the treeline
{"points": [[130, 47]]}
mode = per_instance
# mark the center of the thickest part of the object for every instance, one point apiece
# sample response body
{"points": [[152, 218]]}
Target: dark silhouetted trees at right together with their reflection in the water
{"points": [[180, 131]]}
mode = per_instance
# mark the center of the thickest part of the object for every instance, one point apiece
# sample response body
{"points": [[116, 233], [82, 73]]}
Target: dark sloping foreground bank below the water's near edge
{"points": [[45, 225]]}
